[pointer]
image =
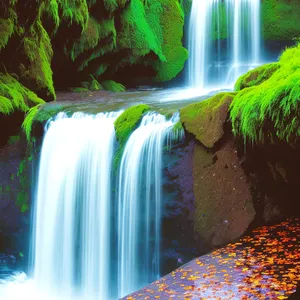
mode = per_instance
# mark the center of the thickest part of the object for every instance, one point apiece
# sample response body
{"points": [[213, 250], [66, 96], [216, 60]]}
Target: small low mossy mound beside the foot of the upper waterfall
{"points": [[256, 76]]}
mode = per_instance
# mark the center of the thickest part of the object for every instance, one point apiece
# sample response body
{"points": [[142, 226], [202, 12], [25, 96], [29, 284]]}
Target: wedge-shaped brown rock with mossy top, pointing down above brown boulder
{"points": [[205, 120]]}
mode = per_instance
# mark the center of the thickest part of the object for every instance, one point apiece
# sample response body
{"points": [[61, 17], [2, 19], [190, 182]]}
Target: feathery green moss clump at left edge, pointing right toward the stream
{"points": [[14, 96]]}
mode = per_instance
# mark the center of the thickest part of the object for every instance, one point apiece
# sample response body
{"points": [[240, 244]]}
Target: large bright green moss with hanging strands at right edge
{"points": [[271, 110]]}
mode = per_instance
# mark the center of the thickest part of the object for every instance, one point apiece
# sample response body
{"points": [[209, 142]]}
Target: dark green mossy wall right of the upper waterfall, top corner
{"points": [[280, 19]]}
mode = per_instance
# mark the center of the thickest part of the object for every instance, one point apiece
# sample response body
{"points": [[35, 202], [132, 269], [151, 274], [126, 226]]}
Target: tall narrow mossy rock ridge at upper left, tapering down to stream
{"points": [[38, 50]]}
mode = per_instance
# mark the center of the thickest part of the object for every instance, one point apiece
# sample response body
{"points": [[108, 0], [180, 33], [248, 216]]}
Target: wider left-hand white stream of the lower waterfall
{"points": [[73, 227]]}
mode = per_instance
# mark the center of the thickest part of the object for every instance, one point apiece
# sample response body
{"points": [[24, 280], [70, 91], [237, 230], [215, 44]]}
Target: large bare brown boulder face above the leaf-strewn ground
{"points": [[223, 202]]}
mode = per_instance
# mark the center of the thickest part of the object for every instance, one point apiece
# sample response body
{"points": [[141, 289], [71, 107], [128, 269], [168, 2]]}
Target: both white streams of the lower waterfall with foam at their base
{"points": [[86, 246]]}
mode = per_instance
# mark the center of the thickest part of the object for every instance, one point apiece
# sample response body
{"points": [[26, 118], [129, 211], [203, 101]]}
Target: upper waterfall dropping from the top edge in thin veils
{"points": [[224, 41]]}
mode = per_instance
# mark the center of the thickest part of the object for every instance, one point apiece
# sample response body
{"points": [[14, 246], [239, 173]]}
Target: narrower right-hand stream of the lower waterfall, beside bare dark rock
{"points": [[140, 202]]}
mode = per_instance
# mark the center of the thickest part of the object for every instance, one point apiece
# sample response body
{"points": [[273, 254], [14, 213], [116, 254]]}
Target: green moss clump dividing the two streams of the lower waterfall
{"points": [[125, 125]]}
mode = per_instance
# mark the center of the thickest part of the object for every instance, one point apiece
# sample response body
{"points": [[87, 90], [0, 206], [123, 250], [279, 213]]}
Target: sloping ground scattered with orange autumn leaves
{"points": [[264, 265]]}
